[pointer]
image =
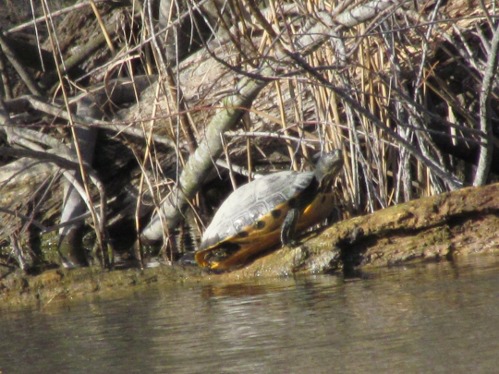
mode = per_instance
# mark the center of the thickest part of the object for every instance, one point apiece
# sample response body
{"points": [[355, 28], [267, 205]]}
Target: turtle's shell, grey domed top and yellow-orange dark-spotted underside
{"points": [[250, 219]]}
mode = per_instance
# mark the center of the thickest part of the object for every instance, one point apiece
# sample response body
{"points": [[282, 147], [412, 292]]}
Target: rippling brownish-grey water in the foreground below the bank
{"points": [[427, 318]]}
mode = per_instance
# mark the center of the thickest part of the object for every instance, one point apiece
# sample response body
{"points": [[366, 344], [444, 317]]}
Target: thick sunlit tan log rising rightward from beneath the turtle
{"points": [[428, 229]]}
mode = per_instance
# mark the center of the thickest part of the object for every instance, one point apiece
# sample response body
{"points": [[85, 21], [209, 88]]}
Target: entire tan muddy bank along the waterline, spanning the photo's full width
{"points": [[442, 227]]}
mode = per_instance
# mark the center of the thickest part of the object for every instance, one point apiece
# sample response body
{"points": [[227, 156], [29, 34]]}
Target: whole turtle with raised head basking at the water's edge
{"points": [[268, 210]]}
